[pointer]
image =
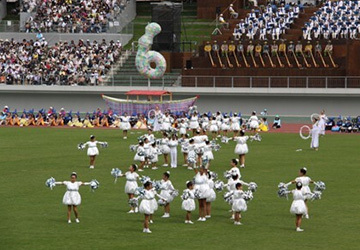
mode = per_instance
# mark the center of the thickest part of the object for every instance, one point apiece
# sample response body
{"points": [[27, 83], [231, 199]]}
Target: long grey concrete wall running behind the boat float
{"points": [[300, 105]]}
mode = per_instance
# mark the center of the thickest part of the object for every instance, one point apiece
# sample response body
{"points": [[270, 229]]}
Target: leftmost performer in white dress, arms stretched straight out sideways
{"points": [[72, 196]]}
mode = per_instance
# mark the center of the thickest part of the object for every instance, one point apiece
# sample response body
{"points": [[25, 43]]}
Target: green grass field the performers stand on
{"points": [[33, 217]]}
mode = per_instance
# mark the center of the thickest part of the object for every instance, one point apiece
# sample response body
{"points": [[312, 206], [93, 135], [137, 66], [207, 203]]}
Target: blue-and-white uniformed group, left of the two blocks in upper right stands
{"points": [[271, 21]]}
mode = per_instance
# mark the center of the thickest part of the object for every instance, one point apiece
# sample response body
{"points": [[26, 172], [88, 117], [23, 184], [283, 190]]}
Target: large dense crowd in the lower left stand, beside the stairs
{"points": [[34, 62]]}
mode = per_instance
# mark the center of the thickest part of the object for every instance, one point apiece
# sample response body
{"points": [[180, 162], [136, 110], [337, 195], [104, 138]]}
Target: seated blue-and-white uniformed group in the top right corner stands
{"points": [[334, 20]]}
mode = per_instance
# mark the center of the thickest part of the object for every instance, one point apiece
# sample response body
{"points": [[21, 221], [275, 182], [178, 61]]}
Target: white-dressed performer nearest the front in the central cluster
{"points": [[148, 205]]}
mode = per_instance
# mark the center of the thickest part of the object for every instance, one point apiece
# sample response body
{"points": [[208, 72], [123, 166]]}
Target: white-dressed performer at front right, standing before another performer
{"points": [[298, 206]]}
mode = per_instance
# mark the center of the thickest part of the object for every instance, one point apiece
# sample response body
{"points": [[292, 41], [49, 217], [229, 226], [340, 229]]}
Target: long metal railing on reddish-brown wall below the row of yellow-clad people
{"points": [[271, 81]]}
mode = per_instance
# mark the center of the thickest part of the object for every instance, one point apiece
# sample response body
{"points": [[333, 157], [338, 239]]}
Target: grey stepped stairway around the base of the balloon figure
{"points": [[127, 75]]}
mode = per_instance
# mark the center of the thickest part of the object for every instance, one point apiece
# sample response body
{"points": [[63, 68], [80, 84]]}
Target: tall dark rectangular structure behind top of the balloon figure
{"points": [[168, 16]]}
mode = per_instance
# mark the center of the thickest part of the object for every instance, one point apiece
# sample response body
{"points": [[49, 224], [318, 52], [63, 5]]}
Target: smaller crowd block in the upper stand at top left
{"points": [[67, 16]]}
